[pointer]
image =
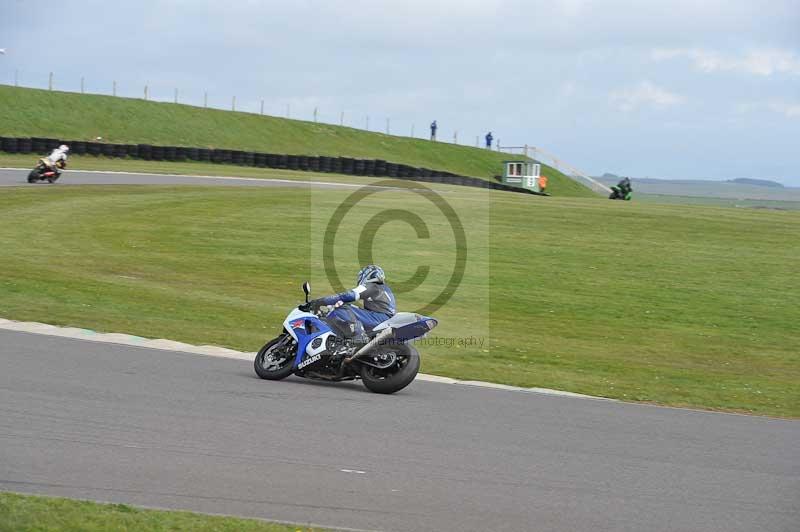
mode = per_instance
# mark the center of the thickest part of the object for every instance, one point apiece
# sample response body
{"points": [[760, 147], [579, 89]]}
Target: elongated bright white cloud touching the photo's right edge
{"points": [[761, 62]]}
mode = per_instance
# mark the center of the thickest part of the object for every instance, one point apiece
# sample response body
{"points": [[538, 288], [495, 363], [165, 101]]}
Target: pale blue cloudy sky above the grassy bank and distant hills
{"points": [[673, 88]]}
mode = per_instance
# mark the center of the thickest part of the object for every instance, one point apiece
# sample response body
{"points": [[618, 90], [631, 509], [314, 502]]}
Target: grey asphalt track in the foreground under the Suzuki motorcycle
{"points": [[163, 429]]}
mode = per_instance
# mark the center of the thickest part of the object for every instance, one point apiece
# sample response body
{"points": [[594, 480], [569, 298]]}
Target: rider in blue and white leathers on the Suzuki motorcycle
{"points": [[379, 303]]}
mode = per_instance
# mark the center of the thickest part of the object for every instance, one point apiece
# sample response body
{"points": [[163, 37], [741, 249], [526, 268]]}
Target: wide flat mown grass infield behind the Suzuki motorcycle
{"points": [[677, 305]]}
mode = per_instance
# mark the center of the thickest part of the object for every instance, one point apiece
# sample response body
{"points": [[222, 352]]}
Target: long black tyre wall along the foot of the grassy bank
{"points": [[321, 163]]}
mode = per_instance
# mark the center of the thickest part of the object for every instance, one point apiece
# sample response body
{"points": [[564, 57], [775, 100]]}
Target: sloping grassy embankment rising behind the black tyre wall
{"points": [[33, 112]]}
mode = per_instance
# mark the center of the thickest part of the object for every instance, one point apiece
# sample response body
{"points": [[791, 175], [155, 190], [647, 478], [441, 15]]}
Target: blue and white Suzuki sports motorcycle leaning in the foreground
{"points": [[312, 347]]}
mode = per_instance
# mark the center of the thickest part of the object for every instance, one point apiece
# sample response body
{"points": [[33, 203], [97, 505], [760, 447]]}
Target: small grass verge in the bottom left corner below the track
{"points": [[30, 513]]}
